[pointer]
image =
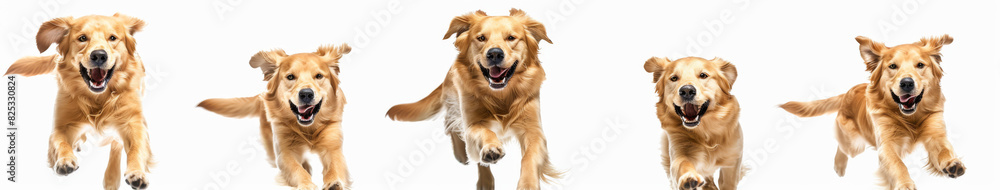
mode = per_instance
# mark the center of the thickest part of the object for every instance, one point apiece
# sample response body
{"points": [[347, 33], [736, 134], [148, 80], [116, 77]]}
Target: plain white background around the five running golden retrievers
{"points": [[598, 102]]}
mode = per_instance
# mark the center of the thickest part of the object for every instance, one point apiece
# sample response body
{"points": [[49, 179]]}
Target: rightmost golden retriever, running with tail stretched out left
{"points": [[901, 107]]}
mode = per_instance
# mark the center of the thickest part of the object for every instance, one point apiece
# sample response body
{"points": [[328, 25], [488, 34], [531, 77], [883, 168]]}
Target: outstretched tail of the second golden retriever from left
{"points": [[234, 107]]}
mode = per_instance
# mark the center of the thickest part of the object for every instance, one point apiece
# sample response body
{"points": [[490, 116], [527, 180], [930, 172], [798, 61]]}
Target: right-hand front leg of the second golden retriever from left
{"points": [[335, 176]]}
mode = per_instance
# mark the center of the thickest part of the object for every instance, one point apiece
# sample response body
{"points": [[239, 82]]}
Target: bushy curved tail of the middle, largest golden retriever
{"points": [[420, 110]]}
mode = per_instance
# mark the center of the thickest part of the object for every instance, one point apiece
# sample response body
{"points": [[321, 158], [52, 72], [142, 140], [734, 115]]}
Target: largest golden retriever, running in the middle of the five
{"points": [[491, 94]]}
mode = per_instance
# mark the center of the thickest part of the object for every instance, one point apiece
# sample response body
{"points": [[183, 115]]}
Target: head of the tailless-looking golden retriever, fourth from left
{"points": [[691, 86]]}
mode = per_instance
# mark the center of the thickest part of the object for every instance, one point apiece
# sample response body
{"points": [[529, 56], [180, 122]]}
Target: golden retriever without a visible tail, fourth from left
{"points": [[701, 121]]}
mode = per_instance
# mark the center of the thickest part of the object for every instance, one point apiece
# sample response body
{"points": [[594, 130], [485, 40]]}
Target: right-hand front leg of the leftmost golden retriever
{"points": [[136, 141]]}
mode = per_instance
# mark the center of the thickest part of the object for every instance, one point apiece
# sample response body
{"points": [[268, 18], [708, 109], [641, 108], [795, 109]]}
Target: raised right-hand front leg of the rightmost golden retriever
{"points": [[940, 155]]}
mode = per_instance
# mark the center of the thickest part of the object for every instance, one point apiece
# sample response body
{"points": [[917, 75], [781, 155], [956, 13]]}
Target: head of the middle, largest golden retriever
{"points": [[498, 46]]}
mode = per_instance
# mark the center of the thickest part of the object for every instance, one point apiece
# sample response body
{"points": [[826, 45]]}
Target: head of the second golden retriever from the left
{"points": [[302, 82]]}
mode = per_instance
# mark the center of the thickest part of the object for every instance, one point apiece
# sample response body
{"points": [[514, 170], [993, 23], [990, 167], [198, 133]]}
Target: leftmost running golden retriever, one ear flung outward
{"points": [[100, 87]]}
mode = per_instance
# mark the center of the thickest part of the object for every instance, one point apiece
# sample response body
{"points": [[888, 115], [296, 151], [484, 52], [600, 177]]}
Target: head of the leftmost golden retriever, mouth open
{"points": [[94, 44]]}
